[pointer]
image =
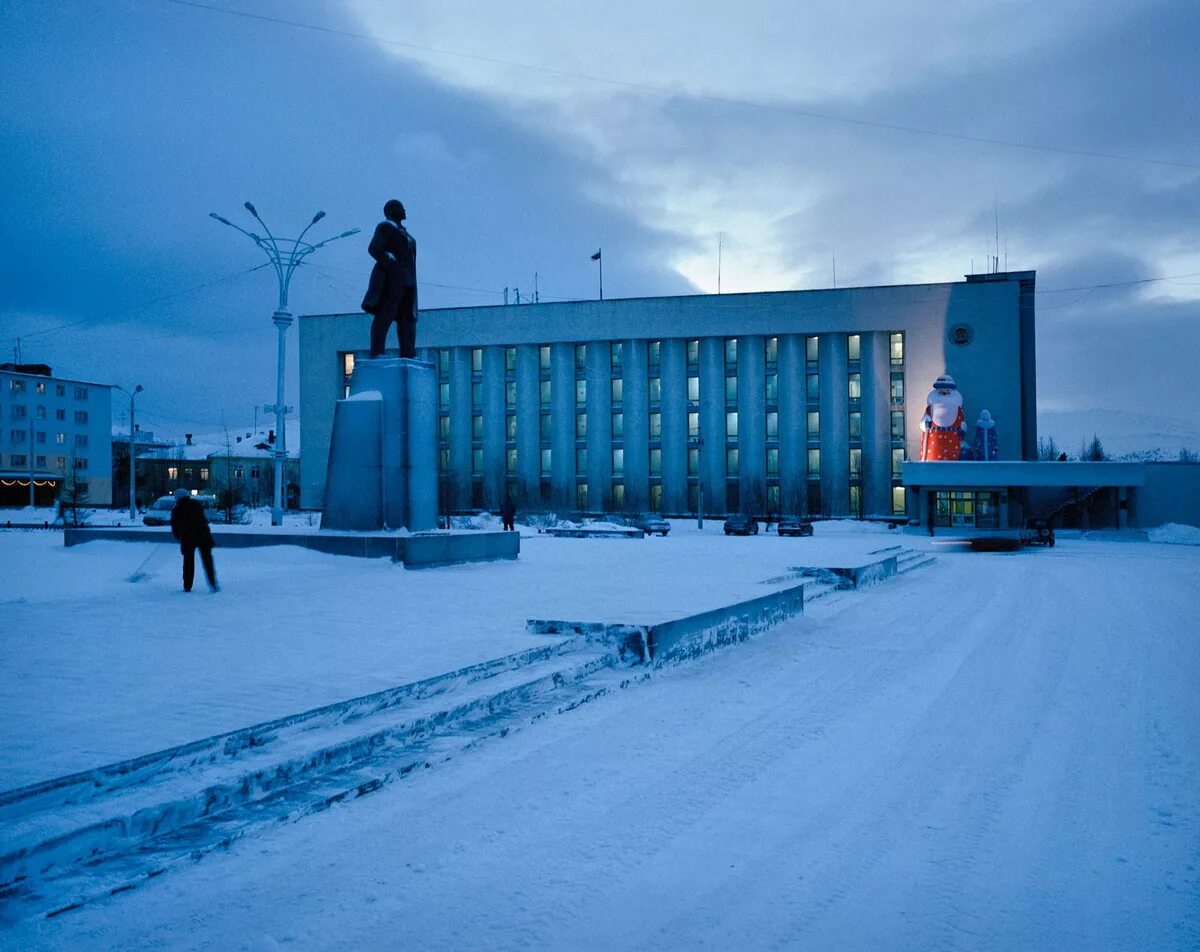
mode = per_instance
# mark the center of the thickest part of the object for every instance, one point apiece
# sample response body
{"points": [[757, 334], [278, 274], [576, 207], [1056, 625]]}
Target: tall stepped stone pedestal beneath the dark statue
{"points": [[383, 456]]}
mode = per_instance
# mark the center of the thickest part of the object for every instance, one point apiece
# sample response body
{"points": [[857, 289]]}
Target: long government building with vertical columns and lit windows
{"points": [[776, 403]]}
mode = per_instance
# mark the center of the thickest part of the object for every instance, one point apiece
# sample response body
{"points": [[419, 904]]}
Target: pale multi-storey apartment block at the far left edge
{"points": [[56, 434]]}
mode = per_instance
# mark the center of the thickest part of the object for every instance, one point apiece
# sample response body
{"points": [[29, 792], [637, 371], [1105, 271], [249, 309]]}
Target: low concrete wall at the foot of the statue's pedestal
{"points": [[423, 550]]}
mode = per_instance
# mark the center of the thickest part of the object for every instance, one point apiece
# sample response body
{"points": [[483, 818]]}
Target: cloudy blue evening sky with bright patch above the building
{"points": [[523, 136]]}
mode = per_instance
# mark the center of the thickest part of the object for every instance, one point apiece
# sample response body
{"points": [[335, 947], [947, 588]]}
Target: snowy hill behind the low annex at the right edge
{"points": [[1121, 433]]}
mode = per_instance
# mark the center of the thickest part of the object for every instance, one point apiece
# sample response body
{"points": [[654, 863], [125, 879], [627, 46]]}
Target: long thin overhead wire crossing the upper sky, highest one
{"points": [[695, 97]]}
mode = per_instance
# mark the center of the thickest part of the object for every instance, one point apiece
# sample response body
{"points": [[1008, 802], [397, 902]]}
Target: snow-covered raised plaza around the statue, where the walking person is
{"points": [[98, 669]]}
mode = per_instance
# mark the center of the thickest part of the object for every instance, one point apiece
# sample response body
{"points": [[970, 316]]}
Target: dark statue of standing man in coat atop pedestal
{"points": [[392, 291]]}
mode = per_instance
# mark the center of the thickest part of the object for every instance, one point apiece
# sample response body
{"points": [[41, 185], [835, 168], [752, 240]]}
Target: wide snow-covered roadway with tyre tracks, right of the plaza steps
{"points": [[999, 752]]}
